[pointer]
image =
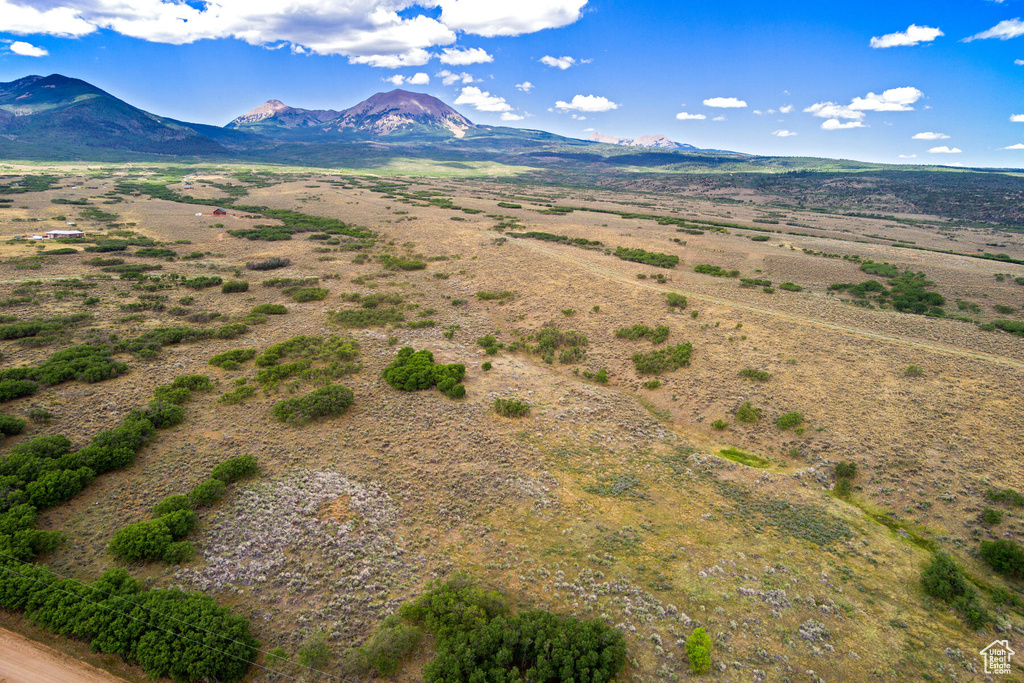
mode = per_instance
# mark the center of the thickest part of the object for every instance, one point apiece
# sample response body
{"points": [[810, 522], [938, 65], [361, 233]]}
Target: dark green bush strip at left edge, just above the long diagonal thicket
{"points": [[82, 364]]}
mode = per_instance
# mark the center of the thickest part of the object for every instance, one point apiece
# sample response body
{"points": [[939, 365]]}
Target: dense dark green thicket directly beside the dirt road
{"points": [[175, 634]]}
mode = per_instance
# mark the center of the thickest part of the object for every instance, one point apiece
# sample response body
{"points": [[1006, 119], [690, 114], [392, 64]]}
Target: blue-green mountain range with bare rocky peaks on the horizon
{"points": [[60, 118]]}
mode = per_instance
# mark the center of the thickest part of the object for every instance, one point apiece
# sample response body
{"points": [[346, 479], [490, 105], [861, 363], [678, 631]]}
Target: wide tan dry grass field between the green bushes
{"points": [[610, 500]]}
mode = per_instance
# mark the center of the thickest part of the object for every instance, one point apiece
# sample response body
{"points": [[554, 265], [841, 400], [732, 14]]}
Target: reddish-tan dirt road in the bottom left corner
{"points": [[24, 661]]}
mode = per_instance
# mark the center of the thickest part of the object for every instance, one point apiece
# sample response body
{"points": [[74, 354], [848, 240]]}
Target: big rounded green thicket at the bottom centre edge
{"points": [[478, 639]]}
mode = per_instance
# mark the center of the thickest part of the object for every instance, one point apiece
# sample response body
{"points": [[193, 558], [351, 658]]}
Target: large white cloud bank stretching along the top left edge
{"points": [[380, 33]]}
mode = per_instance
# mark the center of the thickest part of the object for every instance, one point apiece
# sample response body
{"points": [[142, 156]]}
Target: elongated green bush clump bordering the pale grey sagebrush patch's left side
{"points": [[162, 537]]}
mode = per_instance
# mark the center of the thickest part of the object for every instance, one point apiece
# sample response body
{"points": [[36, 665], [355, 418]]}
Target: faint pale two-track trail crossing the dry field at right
{"points": [[792, 318]]}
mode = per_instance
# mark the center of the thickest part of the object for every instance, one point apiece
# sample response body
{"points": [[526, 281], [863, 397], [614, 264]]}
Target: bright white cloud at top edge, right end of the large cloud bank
{"points": [[488, 18]]}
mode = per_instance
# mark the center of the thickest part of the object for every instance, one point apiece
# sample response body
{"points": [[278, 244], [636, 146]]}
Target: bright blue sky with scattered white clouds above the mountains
{"points": [[795, 78]]}
